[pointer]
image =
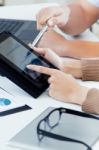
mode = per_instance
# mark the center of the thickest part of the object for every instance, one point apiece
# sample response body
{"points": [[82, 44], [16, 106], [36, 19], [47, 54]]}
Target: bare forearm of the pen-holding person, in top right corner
{"points": [[82, 16]]}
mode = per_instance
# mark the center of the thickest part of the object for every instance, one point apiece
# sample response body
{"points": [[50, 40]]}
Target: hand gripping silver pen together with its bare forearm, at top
{"points": [[69, 18]]}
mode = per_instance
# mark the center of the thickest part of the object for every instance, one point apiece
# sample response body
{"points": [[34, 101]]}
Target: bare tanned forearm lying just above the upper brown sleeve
{"points": [[80, 49]]}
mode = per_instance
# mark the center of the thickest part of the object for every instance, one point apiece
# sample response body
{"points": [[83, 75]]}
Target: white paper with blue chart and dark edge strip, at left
{"points": [[10, 104]]}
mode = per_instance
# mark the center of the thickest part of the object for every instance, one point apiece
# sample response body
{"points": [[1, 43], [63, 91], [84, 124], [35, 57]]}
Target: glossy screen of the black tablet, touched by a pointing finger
{"points": [[20, 56]]}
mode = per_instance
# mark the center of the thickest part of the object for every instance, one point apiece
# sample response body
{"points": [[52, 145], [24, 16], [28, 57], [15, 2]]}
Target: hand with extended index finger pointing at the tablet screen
{"points": [[63, 87]]}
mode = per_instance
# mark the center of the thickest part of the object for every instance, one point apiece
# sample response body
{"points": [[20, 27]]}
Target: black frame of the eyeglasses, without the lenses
{"points": [[57, 136]]}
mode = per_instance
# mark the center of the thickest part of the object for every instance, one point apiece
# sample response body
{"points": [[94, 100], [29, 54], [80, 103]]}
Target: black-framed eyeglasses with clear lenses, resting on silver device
{"points": [[53, 119]]}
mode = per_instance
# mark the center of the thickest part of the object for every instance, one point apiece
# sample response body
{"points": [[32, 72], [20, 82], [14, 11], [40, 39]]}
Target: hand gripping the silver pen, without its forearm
{"points": [[56, 15]]}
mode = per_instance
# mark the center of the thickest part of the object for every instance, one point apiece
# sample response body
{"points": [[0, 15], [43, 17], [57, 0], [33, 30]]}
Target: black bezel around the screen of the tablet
{"points": [[15, 74]]}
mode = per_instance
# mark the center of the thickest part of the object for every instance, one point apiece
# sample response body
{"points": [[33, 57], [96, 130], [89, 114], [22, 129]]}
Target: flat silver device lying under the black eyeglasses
{"points": [[73, 126]]}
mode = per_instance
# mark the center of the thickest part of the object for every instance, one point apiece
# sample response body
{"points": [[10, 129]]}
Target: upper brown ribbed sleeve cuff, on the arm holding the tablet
{"points": [[90, 69]]}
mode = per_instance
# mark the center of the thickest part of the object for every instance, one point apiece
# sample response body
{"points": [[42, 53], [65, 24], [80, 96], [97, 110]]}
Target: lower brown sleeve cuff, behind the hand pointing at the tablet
{"points": [[91, 104]]}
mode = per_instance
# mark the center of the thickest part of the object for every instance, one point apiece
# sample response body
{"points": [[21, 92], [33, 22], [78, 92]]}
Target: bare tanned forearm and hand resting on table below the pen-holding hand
{"points": [[69, 48]]}
